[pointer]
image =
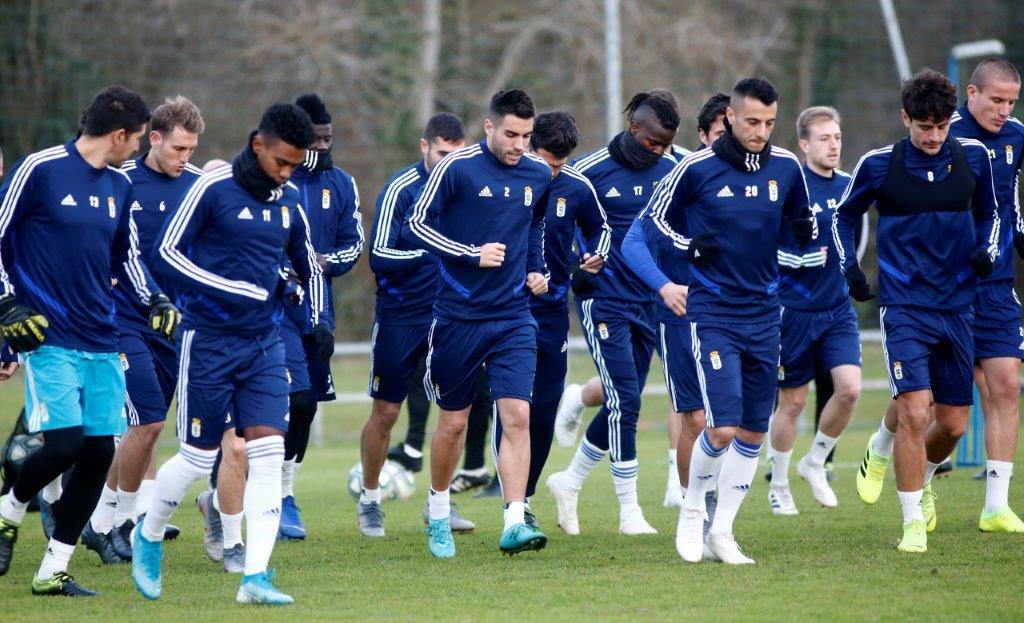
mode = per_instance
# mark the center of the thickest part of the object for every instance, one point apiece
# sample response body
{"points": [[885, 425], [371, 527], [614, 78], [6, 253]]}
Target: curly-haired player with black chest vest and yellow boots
{"points": [[938, 232]]}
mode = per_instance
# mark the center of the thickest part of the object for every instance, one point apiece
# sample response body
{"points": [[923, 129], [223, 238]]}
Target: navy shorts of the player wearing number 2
{"points": [[458, 349]]}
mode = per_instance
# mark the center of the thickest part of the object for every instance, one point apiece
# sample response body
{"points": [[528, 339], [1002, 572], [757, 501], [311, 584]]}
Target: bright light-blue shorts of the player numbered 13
{"points": [[66, 389]]}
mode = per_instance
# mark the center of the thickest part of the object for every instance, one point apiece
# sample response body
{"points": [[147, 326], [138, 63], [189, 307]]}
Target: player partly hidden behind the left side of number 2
{"points": [[407, 282]]}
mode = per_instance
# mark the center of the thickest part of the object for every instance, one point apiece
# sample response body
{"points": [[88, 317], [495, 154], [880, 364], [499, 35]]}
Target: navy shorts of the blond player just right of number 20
{"points": [[831, 338]]}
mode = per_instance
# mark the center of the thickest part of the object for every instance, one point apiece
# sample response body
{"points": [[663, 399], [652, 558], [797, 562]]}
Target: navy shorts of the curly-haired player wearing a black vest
{"points": [[926, 350]]}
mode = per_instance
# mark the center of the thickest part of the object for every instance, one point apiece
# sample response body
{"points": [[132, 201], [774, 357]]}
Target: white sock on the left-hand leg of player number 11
{"points": [[174, 480]]}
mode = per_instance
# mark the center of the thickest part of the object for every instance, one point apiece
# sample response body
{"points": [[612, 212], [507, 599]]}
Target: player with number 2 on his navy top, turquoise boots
{"points": [[482, 213]]}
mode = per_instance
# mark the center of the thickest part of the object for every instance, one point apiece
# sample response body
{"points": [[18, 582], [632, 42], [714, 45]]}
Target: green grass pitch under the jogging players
{"points": [[838, 565]]}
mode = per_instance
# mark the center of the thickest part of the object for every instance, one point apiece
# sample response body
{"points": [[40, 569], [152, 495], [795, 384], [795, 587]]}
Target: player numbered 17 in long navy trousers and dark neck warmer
{"points": [[619, 314]]}
